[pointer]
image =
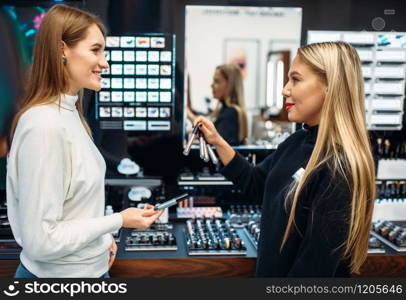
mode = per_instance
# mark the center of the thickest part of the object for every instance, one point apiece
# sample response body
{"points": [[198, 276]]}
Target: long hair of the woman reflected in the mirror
{"points": [[234, 98]]}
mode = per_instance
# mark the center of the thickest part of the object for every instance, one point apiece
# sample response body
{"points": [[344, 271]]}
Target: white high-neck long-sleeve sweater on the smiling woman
{"points": [[55, 194]]}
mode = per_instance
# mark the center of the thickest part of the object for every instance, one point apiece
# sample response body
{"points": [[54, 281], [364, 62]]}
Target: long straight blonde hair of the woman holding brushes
{"points": [[342, 141]]}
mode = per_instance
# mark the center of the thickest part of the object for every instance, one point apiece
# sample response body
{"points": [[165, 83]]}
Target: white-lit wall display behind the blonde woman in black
{"points": [[383, 57]]}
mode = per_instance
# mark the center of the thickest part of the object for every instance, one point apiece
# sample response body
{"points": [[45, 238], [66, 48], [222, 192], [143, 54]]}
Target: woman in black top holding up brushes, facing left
{"points": [[318, 187]]}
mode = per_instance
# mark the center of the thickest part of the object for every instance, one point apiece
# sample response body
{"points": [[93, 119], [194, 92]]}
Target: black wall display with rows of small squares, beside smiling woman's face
{"points": [[138, 90]]}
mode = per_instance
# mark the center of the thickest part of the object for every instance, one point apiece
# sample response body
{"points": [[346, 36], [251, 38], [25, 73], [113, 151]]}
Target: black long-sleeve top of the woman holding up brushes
{"points": [[321, 215]]}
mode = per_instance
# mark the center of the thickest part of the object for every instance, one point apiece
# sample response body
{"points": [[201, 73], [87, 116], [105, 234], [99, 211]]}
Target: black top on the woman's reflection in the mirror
{"points": [[227, 125]]}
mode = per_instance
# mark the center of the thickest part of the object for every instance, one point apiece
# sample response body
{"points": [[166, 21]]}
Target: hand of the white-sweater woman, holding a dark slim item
{"points": [[140, 218]]}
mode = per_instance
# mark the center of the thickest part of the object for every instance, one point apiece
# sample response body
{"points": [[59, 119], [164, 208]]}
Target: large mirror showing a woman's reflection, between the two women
{"points": [[247, 108]]}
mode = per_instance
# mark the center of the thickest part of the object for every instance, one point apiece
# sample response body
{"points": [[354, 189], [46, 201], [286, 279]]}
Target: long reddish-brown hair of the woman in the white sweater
{"points": [[48, 77]]}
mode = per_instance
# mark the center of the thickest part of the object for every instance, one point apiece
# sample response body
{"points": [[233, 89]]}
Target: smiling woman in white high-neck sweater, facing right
{"points": [[55, 174]]}
